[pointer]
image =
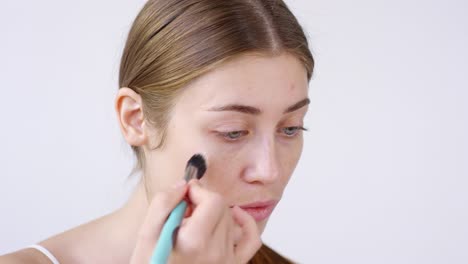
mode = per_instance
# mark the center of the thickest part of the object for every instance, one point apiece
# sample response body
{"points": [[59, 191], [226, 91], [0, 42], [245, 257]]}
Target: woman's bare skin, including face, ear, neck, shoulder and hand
{"points": [[251, 153]]}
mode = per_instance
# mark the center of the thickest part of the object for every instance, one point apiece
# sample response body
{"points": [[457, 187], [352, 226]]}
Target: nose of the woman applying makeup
{"points": [[264, 166]]}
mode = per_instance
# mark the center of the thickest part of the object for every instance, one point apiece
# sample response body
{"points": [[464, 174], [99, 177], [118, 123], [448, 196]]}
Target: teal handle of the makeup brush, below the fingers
{"points": [[164, 245]]}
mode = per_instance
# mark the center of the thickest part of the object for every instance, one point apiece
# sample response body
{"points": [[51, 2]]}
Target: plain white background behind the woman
{"points": [[383, 177]]}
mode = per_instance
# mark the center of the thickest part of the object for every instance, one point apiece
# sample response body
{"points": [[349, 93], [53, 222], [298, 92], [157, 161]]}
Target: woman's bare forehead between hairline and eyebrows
{"points": [[260, 81]]}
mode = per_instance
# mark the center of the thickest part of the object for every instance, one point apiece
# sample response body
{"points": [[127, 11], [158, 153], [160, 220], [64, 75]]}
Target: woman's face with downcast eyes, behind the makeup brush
{"points": [[245, 117]]}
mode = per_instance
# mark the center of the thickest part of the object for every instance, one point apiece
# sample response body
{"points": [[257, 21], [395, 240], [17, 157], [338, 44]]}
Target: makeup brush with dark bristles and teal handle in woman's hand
{"points": [[196, 167]]}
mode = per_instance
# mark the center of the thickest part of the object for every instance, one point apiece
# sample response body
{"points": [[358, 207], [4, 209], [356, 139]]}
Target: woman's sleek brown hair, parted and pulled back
{"points": [[172, 42]]}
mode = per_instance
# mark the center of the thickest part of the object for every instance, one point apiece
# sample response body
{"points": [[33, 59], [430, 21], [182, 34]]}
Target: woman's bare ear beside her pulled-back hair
{"points": [[130, 116]]}
